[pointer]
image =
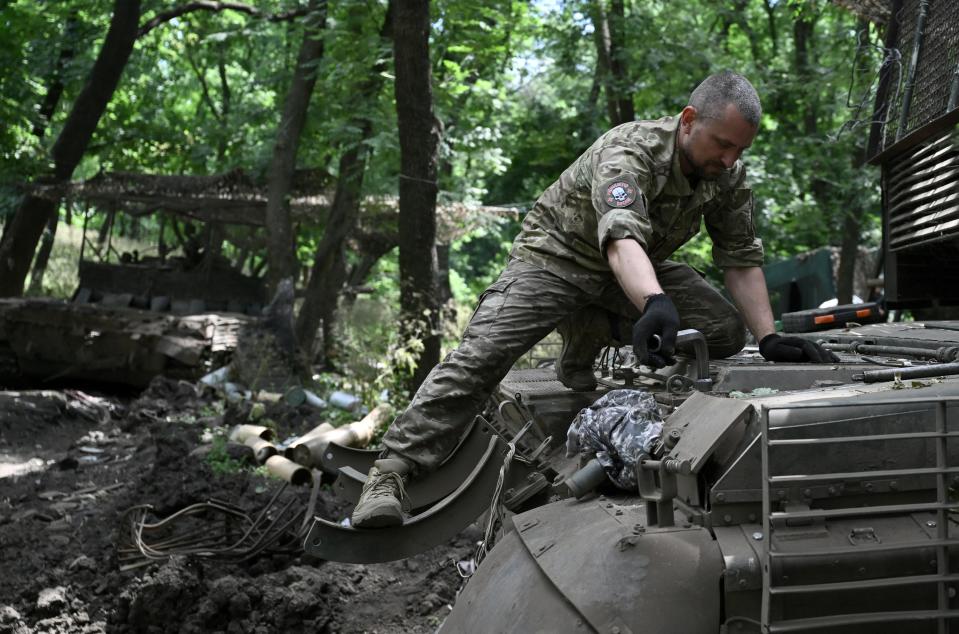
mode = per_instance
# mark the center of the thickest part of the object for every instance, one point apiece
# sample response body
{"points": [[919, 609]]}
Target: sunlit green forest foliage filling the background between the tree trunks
{"points": [[515, 88]]}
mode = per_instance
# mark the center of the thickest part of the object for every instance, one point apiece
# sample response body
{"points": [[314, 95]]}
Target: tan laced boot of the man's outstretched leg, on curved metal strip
{"points": [[383, 500]]}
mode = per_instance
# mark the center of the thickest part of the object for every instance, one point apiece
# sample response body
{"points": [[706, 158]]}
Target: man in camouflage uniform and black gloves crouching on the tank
{"points": [[593, 254]]}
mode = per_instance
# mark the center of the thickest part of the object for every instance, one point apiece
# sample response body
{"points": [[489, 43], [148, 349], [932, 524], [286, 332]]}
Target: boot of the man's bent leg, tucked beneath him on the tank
{"points": [[584, 333]]}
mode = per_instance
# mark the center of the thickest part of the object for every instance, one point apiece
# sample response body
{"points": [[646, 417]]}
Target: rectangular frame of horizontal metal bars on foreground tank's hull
{"points": [[777, 592]]}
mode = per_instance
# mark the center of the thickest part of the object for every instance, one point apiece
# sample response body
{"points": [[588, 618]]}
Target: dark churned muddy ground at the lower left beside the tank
{"points": [[73, 463]]}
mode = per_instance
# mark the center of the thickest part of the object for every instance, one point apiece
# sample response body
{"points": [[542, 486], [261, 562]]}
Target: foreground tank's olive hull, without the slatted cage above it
{"points": [[814, 501]]}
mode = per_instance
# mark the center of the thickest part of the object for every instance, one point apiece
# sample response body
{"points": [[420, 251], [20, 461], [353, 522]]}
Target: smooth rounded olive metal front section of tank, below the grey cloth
{"points": [[594, 566]]}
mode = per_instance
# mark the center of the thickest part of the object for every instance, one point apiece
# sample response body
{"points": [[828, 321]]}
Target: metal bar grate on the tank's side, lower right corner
{"points": [[789, 605]]}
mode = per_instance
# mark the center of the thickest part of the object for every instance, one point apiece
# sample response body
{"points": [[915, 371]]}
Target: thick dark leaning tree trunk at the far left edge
{"points": [[20, 240]]}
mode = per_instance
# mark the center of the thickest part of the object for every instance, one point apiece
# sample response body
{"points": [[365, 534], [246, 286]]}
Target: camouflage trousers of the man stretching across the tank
{"points": [[520, 308]]}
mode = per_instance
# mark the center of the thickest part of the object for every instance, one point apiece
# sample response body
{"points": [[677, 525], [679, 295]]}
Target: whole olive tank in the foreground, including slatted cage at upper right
{"points": [[781, 498]]}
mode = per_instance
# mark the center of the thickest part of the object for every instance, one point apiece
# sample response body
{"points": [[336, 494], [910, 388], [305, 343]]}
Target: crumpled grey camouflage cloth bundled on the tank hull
{"points": [[620, 428]]}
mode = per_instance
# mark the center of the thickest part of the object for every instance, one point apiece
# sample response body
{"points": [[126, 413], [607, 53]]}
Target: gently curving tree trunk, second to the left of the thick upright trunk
{"points": [[280, 240]]}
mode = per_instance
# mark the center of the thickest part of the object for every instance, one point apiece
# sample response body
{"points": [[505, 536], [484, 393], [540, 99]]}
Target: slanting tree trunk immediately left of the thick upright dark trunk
{"points": [[328, 274]]}
